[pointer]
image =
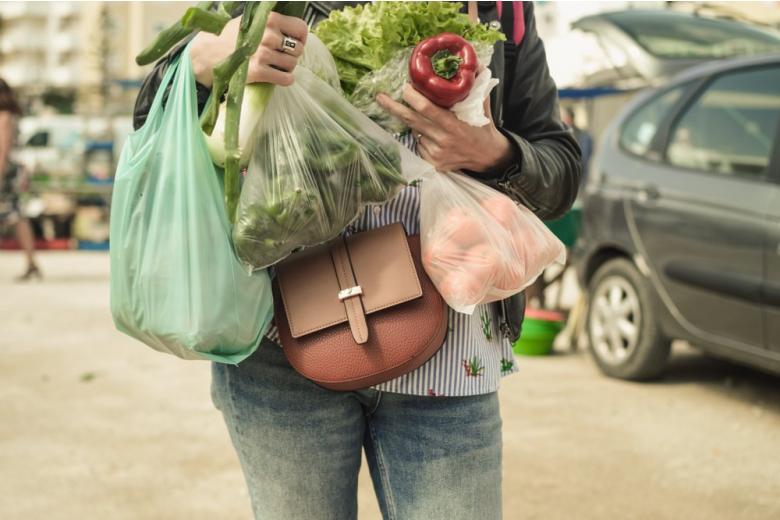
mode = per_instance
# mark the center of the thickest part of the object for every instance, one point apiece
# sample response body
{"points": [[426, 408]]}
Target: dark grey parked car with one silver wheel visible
{"points": [[680, 236]]}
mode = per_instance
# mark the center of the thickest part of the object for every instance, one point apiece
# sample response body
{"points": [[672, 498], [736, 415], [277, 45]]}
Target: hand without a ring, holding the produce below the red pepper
{"points": [[445, 141]]}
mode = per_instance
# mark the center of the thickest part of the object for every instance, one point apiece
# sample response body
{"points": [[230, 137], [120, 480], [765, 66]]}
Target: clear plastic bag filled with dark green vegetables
{"points": [[316, 162]]}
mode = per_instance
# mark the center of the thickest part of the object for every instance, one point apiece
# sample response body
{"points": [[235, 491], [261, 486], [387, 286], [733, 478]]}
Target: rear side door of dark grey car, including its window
{"points": [[699, 213]]}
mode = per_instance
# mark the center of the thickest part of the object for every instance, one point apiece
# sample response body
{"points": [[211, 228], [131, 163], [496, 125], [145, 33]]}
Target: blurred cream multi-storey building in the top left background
{"points": [[79, 50]]}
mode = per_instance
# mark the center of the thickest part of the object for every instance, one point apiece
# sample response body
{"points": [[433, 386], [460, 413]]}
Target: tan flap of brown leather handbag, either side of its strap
{"points": [[382, 266]]}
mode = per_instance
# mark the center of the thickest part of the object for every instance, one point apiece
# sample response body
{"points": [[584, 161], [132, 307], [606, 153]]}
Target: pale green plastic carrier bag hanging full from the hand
{"points": [[176, 284]]}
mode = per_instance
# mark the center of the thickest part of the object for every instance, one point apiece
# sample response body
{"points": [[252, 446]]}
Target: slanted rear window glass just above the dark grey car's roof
{"points": [[678, 36]]}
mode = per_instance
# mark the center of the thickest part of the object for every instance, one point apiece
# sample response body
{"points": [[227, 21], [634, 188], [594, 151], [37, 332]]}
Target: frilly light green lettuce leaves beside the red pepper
{"points": [[365, 37]]}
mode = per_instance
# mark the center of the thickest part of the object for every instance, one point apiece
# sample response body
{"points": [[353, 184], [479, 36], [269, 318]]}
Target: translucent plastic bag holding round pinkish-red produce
{"points": [[479, 246]]}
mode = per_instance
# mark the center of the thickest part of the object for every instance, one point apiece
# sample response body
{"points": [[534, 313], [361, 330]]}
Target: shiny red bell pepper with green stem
{"points": [[443, 68]]}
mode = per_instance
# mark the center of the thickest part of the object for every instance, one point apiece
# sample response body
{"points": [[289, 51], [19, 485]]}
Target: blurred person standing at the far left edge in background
{"points": [[12, 181]]}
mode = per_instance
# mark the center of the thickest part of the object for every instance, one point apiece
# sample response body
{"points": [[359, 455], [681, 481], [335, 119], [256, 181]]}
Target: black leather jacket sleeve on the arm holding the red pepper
{"points": [[548, 166]]}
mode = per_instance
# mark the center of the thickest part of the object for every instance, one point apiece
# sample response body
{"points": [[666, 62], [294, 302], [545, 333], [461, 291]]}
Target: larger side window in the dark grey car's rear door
{"points": [[730, 129]]}
